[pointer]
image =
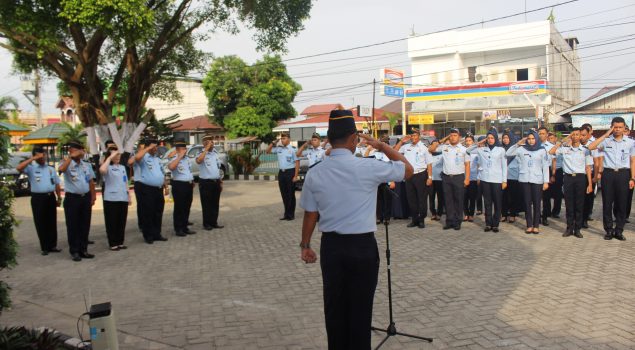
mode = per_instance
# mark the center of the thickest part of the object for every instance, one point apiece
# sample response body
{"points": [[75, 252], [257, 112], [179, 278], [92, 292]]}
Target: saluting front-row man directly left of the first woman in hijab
{"points": [[456, 176]]}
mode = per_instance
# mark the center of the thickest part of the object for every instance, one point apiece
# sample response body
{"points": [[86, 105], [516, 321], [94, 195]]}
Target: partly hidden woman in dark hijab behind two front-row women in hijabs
{"points": [[512, 195]]}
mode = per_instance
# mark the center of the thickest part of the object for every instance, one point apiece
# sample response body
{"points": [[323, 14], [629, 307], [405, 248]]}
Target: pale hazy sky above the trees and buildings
{"points": [[343, 25]]}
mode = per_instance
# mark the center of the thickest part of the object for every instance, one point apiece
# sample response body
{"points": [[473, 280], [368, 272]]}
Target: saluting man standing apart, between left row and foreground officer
{"points": [[289, 165]]}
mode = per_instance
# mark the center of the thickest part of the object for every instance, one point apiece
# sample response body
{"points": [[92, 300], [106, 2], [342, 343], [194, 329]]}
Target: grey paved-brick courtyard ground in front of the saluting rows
{"points": [[244, 287]]}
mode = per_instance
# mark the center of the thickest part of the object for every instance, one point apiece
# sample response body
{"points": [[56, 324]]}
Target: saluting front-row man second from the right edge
{"points": [[577, 163]]}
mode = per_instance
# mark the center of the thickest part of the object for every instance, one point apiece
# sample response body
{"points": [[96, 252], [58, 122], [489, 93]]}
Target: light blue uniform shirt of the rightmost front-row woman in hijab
{"points": [[533, 165]]}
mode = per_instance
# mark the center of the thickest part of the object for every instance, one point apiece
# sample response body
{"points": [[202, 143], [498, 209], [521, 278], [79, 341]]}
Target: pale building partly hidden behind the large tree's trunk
{"points": [[194, 100]]}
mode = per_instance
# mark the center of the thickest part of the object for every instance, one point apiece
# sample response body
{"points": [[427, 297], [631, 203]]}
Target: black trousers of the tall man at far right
{"points": [[614, 199]]}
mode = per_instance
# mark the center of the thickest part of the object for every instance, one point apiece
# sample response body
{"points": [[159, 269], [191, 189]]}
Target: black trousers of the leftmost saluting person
{"points": [[44, 207]]}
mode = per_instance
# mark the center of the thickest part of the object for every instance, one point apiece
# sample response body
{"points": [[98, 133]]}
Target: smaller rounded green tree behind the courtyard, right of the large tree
{"points": [[261, 93]]}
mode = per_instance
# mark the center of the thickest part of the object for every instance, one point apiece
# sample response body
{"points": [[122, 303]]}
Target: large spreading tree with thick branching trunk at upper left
{"points": [[102, 49]]}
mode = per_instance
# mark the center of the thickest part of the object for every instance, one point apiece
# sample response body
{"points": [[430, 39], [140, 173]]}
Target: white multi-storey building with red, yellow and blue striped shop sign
{"points": [[506, 75]]}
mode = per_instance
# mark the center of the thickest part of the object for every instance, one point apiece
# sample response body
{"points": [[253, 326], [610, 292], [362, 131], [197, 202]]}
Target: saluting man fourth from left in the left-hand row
{"points": [[152, 188]]}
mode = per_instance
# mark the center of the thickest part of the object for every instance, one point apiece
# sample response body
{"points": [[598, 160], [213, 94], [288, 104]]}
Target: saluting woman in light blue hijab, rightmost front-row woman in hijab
{"points": [[533, 176]]}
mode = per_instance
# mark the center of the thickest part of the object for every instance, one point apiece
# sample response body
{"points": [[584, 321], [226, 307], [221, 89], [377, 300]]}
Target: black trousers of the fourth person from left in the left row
{"points": [[151, 205]]}
